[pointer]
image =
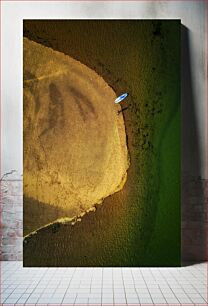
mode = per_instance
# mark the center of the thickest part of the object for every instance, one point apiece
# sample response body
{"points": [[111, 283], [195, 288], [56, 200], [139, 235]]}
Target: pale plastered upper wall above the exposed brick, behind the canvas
{"points": [[191, 13]]}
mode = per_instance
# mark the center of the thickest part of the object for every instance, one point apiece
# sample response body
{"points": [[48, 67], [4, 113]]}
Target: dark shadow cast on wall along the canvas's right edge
{"points": [[193, 231]]}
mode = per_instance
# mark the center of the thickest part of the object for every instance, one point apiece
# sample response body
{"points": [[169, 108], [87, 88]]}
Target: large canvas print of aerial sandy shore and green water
{"points": [[101, 109]]}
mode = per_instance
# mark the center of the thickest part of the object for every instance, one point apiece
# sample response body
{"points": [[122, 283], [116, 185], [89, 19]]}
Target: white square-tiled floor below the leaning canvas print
{"points": [[106, 286]]}
